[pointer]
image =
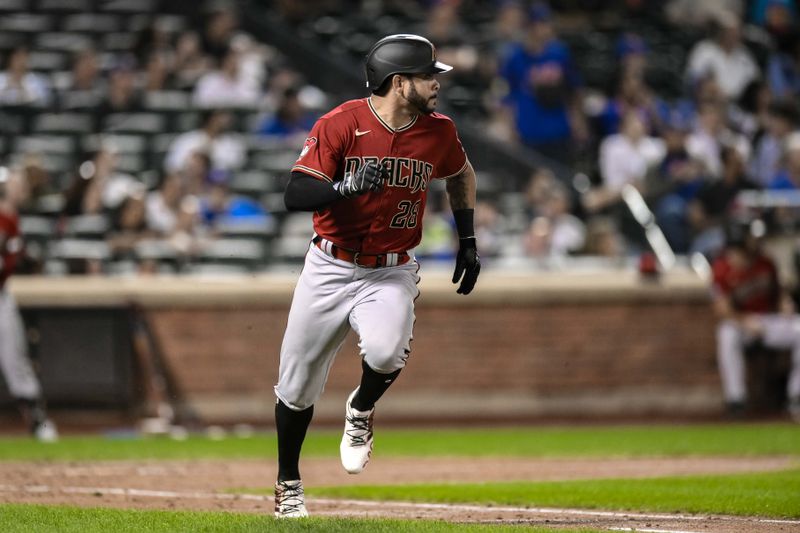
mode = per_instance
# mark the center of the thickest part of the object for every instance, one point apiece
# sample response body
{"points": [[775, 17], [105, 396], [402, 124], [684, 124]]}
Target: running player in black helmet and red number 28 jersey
{"points": [[365, 171]]}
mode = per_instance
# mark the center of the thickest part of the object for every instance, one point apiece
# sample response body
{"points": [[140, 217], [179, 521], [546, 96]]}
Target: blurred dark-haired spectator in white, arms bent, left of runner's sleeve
{"points": [[227, 151]]}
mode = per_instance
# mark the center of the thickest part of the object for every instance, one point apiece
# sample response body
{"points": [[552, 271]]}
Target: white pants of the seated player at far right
{"points": [[780, 331]]}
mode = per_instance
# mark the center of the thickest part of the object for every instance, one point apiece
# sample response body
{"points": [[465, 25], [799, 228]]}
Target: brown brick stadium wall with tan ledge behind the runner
{"points": [[521, 346]]}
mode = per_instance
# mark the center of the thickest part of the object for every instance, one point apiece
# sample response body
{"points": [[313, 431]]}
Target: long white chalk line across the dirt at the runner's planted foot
{"points": [[149, 493]]}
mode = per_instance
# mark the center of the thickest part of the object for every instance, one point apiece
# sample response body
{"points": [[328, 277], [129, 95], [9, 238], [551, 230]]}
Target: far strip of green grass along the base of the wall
{"points": [[622, 441]]}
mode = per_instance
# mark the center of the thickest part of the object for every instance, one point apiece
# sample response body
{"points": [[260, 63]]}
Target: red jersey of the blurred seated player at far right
{"points": [[754, 289]]}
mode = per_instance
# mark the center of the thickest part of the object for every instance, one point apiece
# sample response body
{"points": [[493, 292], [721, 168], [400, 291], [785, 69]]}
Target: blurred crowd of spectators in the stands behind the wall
{"points": [[156, 136]]}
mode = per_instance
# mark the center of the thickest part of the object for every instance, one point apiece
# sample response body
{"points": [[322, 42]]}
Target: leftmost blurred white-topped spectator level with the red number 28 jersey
{"points": [[98, 186]]}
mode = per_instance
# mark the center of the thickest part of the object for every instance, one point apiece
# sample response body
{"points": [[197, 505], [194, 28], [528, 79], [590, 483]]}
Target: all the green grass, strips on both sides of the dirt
{"points": [[774, 494]]}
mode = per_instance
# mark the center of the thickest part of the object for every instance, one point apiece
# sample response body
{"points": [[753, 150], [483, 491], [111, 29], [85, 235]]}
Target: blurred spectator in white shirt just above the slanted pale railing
{"points": [[625, 159]]}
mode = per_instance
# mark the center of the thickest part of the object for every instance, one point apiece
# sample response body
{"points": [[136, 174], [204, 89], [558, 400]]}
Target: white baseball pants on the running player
{"points": [[331, 297]]}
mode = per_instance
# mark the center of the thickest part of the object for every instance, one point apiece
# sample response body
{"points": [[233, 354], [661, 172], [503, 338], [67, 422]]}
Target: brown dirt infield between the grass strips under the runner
{"points": [[204, 485]]}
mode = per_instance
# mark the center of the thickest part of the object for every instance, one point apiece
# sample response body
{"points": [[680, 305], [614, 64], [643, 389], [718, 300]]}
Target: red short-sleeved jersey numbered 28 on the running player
{"points": [[389, 220]]}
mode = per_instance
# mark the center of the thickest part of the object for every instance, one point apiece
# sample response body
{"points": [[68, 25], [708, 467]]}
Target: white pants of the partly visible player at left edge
{"points": [[17, 370]]}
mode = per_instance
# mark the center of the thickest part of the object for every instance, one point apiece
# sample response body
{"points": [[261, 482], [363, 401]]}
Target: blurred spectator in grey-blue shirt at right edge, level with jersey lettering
{"points": [[783, 118]]}
